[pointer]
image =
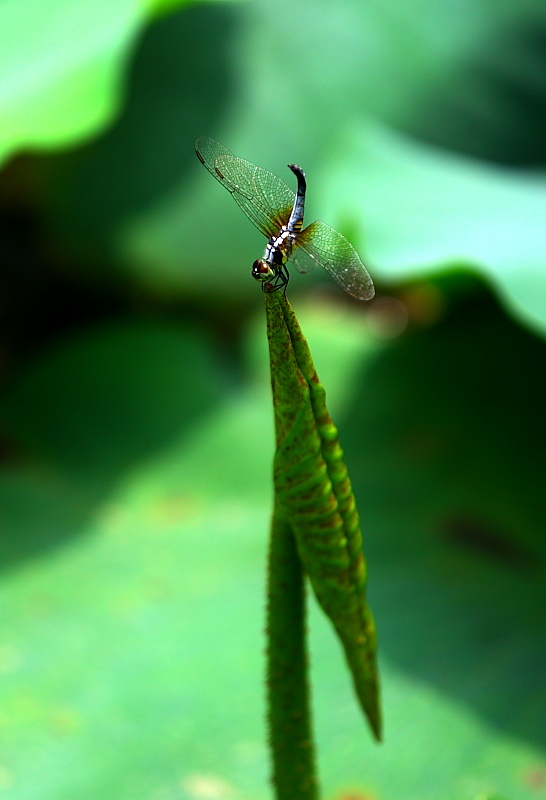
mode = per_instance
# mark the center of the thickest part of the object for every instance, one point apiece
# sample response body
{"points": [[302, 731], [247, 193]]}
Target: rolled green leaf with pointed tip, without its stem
{"points": [[314, 494]]}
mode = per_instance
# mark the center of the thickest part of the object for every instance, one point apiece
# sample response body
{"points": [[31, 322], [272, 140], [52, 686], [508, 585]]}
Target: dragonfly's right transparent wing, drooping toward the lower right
{"points": [[325, 246]]}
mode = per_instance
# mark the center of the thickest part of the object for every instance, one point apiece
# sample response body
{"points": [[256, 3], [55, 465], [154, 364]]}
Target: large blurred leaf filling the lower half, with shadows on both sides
{"points": [[131, 652]]}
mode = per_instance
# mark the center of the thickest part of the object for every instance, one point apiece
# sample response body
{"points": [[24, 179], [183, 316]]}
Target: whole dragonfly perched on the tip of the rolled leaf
{"points": [[278, 213]]}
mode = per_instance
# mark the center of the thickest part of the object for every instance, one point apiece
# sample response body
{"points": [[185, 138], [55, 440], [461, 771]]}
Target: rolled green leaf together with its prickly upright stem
{"points": [[315, 531]]}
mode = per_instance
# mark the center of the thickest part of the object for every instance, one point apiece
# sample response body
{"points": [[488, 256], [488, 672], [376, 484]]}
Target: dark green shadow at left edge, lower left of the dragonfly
{"points": [[89, 411]]}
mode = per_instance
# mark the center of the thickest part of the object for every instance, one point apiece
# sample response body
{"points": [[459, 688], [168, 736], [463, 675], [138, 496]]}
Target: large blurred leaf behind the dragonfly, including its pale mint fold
{"points": [[408, 206]]}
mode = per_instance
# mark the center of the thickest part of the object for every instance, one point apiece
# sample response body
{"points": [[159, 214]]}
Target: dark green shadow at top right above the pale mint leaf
{"points": [[493, 106]]}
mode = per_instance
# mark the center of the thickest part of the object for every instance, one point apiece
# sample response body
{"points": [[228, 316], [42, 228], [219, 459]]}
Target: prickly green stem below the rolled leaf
{"points": [[294, 775]]}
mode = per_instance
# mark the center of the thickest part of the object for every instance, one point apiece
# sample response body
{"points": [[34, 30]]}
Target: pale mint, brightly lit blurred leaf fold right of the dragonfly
{"points": [[414, 209]]}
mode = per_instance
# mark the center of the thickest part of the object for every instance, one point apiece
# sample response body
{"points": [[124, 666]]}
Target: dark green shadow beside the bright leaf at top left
{"points": [[181, 84]]}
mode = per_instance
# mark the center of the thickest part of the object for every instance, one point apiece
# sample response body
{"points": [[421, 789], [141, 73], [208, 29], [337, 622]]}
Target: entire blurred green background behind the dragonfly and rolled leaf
{"points": [[135, 415]]}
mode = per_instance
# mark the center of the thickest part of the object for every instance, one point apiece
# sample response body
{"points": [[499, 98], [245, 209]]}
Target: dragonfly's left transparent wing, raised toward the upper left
{"points": [[265, 199]]}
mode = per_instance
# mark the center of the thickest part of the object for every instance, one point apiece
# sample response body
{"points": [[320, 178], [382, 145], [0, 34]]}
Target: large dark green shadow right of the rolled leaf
{"points": [[445, 442]]}
